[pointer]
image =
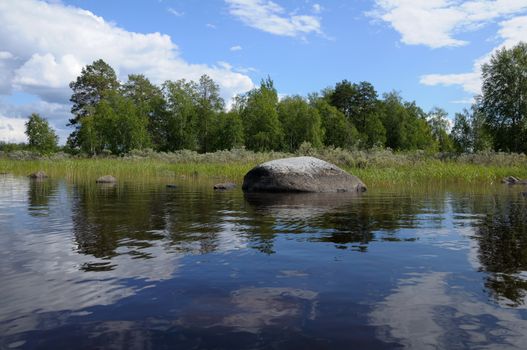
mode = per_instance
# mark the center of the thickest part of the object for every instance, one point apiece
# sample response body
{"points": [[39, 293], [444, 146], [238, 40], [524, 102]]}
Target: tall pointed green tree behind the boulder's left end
{"points": [[261, 124]]}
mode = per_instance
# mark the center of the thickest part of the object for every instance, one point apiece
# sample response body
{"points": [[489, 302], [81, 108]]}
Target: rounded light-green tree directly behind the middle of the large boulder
{"points": [[300, 123]]}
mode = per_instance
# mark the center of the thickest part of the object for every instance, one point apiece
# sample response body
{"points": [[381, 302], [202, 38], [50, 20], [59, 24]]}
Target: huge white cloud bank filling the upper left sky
{"points": [[44, 46]]}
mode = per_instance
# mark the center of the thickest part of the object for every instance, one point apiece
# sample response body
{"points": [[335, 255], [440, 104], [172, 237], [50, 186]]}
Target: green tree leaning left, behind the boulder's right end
{"points": [[336, 129]]}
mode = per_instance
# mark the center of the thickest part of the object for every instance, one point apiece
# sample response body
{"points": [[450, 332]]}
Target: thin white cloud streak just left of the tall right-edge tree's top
{"points": [[511, 31]]}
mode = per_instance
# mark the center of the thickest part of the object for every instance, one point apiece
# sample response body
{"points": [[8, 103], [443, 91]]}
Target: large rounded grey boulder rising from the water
{"points": [[300, 174]]}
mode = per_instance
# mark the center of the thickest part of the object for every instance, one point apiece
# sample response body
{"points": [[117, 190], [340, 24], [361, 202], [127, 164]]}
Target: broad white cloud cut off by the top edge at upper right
{"points": [[434, 23]]}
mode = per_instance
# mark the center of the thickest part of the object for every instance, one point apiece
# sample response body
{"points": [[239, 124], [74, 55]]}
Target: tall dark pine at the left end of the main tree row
{"points": [[91, 86]]}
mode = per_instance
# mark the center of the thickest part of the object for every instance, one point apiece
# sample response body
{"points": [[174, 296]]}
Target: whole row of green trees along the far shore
{"points": [[116, 117]]}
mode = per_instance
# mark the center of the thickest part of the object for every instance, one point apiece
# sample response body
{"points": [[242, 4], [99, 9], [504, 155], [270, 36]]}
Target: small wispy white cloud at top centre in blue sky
{"points": [[272, 18]]}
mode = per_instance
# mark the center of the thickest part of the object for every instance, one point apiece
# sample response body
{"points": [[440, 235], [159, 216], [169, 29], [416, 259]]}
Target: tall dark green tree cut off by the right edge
{"points": [[504, 97]]}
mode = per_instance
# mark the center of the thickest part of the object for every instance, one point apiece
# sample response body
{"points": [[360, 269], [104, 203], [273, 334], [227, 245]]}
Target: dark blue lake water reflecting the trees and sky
{"points": [[148, 267]]}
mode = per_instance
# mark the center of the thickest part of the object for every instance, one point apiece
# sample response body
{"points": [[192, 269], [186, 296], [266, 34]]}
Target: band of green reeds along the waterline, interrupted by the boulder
{"points": [[384, 172]]}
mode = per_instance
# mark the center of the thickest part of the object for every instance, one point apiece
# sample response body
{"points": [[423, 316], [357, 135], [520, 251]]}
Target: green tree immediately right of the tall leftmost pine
{"points": [[150, 104]]}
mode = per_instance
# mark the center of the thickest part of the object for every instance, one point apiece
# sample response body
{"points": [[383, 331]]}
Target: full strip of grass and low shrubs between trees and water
{"points": [[376, 167]]}
